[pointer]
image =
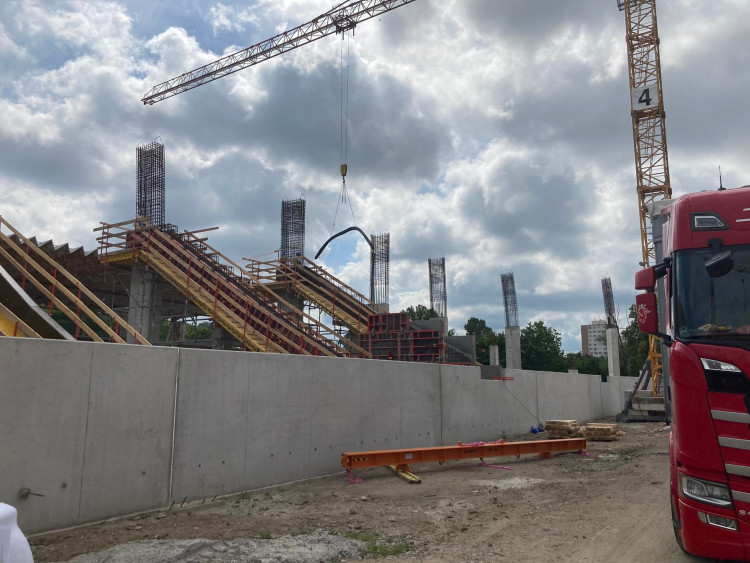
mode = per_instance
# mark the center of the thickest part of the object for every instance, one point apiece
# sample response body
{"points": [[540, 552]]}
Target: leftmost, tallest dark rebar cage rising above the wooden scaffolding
{"points": [[150, 179]]}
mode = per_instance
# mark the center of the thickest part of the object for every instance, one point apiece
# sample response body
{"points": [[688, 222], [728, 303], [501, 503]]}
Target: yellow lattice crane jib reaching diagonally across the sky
{"points": [[339, 20]]}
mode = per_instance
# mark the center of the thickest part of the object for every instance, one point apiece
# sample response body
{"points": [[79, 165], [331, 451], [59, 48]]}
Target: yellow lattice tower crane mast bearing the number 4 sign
{"points": [[649, 133]]}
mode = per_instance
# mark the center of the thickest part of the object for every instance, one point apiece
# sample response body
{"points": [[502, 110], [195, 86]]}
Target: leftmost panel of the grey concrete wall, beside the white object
{"points": [[44, 393]]}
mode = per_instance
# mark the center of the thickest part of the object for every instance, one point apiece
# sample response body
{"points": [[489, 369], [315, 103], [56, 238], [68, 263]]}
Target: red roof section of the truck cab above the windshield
{"points": [[695, 218]]}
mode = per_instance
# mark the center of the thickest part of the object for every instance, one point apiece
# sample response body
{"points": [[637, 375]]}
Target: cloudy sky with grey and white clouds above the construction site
{"points": [[495, 133]]}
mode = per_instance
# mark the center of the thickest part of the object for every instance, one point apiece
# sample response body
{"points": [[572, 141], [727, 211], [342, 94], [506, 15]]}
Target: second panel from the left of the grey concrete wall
{"points": [[129, 431]]}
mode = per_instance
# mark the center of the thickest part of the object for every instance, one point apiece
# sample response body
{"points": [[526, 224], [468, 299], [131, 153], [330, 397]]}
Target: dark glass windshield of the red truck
{"points": [[712, 307]]}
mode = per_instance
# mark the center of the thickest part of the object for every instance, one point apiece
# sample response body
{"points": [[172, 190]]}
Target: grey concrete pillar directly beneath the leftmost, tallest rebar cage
{"points": [[145, 300]]}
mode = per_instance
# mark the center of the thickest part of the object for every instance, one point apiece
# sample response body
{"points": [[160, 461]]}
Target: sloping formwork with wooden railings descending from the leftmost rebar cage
{"points": [[233, 296]]}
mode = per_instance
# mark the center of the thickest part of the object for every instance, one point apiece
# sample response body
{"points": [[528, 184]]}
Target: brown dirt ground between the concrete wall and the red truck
{"points": [[609, 506]]}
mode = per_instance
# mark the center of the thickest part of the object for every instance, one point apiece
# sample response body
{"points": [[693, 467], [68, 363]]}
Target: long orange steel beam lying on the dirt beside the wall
{"points": [[376, 458]]}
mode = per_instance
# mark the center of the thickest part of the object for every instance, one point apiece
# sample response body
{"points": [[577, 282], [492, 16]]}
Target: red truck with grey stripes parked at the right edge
{"points": [[702, 277]]}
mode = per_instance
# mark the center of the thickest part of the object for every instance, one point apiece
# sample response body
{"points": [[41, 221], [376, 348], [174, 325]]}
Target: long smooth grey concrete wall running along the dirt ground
{"points": [[103, 429]]}
